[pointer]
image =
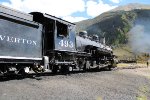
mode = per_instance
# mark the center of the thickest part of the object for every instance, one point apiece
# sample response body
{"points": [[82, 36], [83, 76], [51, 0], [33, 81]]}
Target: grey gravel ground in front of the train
{"points": [[120, 84]]}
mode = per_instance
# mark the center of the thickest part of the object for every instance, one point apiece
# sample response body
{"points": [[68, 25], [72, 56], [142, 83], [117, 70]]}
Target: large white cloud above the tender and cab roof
{"points": [[57, 8]]}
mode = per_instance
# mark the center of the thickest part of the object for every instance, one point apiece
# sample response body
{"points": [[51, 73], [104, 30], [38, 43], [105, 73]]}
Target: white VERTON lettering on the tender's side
{"points": [[17, 40]]}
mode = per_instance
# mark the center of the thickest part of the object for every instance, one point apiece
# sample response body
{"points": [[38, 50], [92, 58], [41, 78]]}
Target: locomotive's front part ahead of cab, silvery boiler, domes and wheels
{"points": [[92, 52]]}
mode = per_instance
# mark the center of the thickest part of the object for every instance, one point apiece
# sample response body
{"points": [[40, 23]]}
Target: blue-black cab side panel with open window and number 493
{"points": [[65, 37]]}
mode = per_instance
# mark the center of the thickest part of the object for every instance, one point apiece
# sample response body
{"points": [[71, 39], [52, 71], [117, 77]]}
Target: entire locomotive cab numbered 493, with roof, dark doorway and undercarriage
{"points": [[59, 41]]}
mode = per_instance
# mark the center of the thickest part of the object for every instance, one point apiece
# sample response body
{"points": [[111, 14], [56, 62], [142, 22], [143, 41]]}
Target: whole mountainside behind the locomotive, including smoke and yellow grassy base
{"points": [[122, 27]]}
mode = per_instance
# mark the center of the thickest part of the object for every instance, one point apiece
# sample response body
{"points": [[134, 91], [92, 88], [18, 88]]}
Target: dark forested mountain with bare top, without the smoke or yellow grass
{"points": [[116, 24]]}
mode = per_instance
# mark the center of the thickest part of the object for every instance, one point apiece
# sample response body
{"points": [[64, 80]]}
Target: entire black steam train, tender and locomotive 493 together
{"points": [[43, 43]]}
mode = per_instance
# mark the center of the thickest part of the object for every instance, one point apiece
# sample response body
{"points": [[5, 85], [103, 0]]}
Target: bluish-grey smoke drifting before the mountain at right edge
{"points": [[139, 37]]}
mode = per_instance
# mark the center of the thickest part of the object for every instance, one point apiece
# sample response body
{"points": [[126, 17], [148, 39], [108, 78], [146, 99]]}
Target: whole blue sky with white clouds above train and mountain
{"points": [[70, 10]]}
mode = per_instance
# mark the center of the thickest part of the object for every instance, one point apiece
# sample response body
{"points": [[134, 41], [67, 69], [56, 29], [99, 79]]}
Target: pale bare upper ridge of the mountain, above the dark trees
{"points": [[82, 25]]}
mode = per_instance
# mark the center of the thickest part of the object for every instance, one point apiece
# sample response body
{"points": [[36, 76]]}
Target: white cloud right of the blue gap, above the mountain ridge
{"points": [[96, 8]]}
